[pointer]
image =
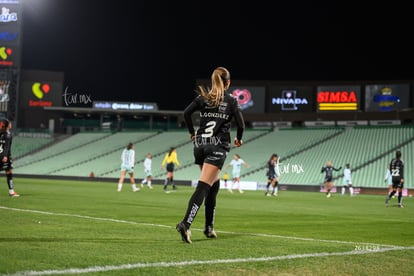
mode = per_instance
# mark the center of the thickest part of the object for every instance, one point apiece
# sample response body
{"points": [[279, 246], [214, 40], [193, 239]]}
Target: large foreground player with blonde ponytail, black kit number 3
{"points": [[216, 109]]}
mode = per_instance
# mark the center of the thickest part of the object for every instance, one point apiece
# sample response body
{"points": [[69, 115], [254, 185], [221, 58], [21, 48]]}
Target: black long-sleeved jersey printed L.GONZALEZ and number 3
{"points": [[215, 122]]}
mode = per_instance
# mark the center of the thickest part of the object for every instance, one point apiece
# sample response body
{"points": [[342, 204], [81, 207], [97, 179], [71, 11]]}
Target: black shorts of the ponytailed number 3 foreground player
{"points": [[211, 154]]}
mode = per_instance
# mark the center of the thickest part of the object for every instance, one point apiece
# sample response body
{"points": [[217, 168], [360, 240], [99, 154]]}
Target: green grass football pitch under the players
{"points": [[60, 227]]}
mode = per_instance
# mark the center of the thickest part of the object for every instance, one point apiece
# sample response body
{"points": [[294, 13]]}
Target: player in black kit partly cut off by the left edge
{"points": [[6, 161]]}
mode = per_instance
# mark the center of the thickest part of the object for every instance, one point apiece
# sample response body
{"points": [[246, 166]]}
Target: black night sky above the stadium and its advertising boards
{"points": [[150, 51]]}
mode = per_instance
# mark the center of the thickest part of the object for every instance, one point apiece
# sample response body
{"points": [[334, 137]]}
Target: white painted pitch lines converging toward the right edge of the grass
{"points": [[194, 262]]}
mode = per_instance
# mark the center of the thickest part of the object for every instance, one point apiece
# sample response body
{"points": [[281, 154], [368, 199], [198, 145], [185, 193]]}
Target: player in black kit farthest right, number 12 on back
{"points": [[397, 174]]}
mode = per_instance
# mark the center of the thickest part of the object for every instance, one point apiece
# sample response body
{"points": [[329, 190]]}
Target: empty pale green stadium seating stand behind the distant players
{"points": [[303, 151]]}
